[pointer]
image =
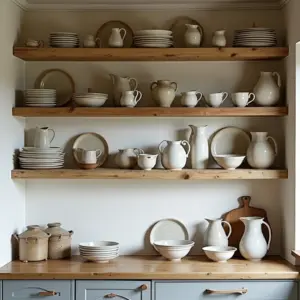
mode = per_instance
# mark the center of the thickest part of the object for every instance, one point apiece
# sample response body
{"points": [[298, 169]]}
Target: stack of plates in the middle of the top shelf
{"points": [[153, 38]]}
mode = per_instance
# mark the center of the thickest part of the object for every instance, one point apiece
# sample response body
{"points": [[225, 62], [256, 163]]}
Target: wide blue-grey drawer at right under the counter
{"points": [[256, 290]]}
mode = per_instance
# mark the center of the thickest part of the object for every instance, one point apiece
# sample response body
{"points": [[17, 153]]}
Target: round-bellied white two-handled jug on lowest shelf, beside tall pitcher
{"points": [[173, 154]]}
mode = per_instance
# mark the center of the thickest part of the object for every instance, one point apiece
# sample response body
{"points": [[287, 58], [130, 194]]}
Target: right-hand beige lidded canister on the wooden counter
{"points": [[59, 242]]}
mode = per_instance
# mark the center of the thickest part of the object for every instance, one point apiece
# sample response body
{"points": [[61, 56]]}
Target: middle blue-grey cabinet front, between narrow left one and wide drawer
{"points": [[117, 290]]}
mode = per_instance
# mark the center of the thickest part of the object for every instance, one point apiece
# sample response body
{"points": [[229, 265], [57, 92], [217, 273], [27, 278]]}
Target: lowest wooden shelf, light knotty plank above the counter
{"points": [[186, 174]]}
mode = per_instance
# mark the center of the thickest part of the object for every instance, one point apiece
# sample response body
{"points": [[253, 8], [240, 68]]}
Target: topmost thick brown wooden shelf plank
{"points": [[149, 54]]}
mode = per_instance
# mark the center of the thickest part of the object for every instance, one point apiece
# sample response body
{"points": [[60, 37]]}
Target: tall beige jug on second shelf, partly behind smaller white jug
{"points": [[120, 85]]}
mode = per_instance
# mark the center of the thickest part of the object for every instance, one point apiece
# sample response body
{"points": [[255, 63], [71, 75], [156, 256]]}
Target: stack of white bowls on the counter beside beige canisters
{"points": [[101, 252]]}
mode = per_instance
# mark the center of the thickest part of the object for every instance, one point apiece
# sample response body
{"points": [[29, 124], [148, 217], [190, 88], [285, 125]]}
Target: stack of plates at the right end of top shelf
{"points": [[255, 37]]}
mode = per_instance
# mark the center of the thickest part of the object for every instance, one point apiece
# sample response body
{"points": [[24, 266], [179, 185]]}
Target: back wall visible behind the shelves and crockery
{"points": [[124, 210]]}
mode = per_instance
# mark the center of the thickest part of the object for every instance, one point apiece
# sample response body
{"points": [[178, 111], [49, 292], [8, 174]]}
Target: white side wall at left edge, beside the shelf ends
{"points": [[12, 194]]}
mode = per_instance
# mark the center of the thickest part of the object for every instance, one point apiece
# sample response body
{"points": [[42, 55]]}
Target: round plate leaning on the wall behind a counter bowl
{"points": [[168, 229]]}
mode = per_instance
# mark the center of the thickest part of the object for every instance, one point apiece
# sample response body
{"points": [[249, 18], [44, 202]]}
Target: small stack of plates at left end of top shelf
{"points": [[64, 40]]}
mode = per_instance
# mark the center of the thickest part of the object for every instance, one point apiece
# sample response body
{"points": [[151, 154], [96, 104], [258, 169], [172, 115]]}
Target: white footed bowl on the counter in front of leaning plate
{"points": [[173, 250]]}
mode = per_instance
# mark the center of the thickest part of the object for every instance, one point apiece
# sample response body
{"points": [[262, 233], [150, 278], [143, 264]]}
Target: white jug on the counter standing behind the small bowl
{"points": [[215, 234]]}
